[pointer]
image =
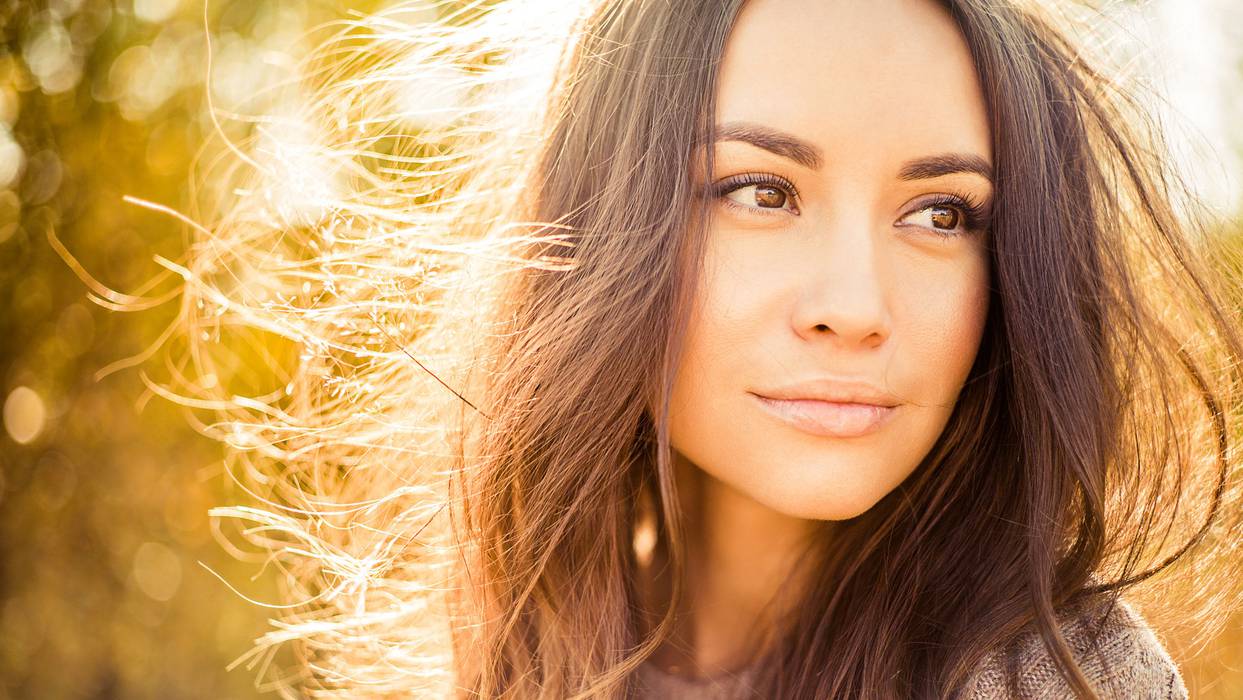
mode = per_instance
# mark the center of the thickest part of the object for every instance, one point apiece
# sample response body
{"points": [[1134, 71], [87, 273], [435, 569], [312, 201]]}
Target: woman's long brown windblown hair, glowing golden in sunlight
{"points": [[472, 305]]}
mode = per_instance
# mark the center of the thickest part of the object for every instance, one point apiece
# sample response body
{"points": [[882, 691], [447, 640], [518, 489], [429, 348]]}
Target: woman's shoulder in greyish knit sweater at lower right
{"points": [[1116, 648]]}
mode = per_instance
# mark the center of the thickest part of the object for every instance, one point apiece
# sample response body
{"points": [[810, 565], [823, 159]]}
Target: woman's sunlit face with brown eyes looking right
{"points": [[846, 283]]}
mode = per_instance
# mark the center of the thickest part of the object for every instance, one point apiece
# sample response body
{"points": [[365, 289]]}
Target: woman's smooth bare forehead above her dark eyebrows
{"points": [[869, 83]]}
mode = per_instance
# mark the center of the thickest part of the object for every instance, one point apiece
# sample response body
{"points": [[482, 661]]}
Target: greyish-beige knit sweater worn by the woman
{"points": [[1129, 663]]}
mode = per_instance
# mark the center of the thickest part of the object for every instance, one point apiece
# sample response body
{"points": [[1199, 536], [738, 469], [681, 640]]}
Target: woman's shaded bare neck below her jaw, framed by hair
{"points": [[740, 576]]}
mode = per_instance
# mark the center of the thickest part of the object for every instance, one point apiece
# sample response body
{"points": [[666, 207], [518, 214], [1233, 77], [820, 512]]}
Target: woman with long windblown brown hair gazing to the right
{"points": [[782, 349]]}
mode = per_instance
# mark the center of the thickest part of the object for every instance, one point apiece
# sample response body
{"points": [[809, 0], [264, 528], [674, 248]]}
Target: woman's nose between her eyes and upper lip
{"points": [[842, 295]]}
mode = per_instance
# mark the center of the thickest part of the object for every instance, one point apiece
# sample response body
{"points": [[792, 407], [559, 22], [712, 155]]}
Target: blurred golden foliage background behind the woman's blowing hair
{"points": [[104, 493]]}
